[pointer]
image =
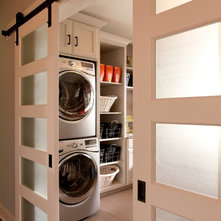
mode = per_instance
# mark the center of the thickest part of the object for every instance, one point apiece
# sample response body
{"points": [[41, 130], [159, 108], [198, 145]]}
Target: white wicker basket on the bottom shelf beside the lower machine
{"points": [[107, 175]]}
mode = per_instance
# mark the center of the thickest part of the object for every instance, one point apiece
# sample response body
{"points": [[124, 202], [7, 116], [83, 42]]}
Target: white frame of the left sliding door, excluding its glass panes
{"points": [[49, 111]]}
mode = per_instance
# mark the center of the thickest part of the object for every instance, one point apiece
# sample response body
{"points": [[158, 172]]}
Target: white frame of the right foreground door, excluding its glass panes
{"points": [[148, 27]]}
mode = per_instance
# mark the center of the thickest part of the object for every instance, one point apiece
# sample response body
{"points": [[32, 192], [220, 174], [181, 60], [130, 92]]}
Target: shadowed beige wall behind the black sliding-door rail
{"points": [[8, 10]]}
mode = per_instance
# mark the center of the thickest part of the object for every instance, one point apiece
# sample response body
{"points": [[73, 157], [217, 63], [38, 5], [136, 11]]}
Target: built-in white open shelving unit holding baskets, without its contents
{"points": [[113, 52]]}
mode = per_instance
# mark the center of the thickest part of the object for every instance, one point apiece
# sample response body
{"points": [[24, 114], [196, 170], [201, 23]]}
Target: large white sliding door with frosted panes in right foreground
{"points": [[177, 103]]}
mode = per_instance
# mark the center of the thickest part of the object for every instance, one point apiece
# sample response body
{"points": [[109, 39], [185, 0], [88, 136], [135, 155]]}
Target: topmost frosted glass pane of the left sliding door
{"points": [[34, 45]]}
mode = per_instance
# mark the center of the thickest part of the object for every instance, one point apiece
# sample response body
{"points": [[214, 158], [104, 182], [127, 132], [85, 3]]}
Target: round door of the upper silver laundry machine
{"points": [[76, 95]]}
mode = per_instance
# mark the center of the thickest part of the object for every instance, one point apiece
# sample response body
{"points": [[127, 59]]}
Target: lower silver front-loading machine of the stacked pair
{"points": [[79, 194]]}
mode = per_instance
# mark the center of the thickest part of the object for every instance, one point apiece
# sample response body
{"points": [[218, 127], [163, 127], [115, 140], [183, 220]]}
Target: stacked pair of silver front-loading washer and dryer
{"points": [[78, 146]]}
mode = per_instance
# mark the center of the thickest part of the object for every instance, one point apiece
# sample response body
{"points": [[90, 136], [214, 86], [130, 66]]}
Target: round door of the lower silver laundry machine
{"points": [[77, 178]]}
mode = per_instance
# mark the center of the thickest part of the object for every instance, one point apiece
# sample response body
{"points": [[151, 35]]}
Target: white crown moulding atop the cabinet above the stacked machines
{"points": [[89, 20]]}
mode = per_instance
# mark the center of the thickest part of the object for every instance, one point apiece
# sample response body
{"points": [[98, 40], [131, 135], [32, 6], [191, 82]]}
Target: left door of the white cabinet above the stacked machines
{"points": [[65, 37]]}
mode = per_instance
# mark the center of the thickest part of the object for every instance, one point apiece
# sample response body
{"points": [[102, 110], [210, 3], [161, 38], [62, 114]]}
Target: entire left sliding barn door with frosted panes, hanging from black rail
{"points": [[36, 119]]}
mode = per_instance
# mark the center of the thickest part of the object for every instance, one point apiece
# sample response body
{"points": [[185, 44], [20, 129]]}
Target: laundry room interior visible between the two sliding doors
{"points": [[96, 112]]}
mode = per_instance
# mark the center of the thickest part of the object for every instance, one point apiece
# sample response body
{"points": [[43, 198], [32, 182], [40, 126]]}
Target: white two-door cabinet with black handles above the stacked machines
{"points": [[78, 39]]}
